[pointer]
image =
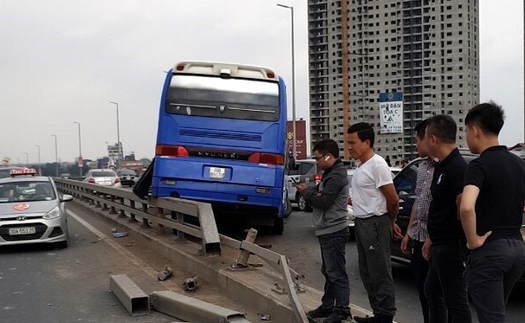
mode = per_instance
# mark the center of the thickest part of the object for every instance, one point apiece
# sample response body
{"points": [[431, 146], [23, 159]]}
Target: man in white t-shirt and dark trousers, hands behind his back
{"points": [[376, 205]]}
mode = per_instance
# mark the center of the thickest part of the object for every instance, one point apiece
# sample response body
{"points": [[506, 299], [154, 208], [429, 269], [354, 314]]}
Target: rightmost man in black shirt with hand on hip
{"points": [[491, 211]]}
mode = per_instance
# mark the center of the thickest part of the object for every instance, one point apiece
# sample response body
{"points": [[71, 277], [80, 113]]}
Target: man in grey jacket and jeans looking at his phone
{"points": [[329, 201]]}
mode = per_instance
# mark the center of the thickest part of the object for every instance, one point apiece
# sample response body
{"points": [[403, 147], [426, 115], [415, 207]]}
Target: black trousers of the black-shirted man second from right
{"points": [[446, 285]]}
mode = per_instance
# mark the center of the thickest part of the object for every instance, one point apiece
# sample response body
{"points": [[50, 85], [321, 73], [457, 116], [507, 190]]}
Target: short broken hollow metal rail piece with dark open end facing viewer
{"points": [[129, 294]]}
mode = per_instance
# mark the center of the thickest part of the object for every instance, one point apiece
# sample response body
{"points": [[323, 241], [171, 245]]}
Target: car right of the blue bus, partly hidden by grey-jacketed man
{"points": [[304, 172]]}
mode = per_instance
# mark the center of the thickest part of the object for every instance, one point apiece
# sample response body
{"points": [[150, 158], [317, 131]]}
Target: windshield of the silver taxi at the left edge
{"points": [[26, 191]]}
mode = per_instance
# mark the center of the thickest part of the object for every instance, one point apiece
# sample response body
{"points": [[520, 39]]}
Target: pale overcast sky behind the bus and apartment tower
{"points": [[64, 61]]}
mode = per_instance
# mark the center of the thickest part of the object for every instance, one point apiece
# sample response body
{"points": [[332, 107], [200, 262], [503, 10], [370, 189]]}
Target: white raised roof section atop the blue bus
{"points": [[225, 70]]}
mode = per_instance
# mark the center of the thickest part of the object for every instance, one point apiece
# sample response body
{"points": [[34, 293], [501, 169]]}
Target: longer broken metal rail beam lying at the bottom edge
{"points": [[193, 310]]}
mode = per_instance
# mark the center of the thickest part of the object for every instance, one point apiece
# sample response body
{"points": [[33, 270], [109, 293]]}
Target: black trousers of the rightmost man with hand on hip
{"points": [[492, 271]]}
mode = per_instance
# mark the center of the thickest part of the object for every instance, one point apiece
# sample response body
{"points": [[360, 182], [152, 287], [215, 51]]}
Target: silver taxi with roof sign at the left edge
{"points": [[32, 210]]}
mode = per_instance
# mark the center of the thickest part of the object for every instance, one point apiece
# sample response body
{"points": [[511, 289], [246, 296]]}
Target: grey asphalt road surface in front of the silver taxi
{"points": [[44, 284]]}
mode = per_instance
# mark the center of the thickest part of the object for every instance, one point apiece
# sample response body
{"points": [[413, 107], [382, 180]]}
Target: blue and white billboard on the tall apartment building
{"points": [[391, 112]]}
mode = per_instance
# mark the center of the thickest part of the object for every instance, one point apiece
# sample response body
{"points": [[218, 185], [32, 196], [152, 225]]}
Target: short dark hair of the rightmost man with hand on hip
{"points": [[488, 116]]}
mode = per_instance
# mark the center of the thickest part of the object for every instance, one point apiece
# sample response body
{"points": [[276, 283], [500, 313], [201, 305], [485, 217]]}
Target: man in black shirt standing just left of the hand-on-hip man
{"points": [[445, 286]]}
